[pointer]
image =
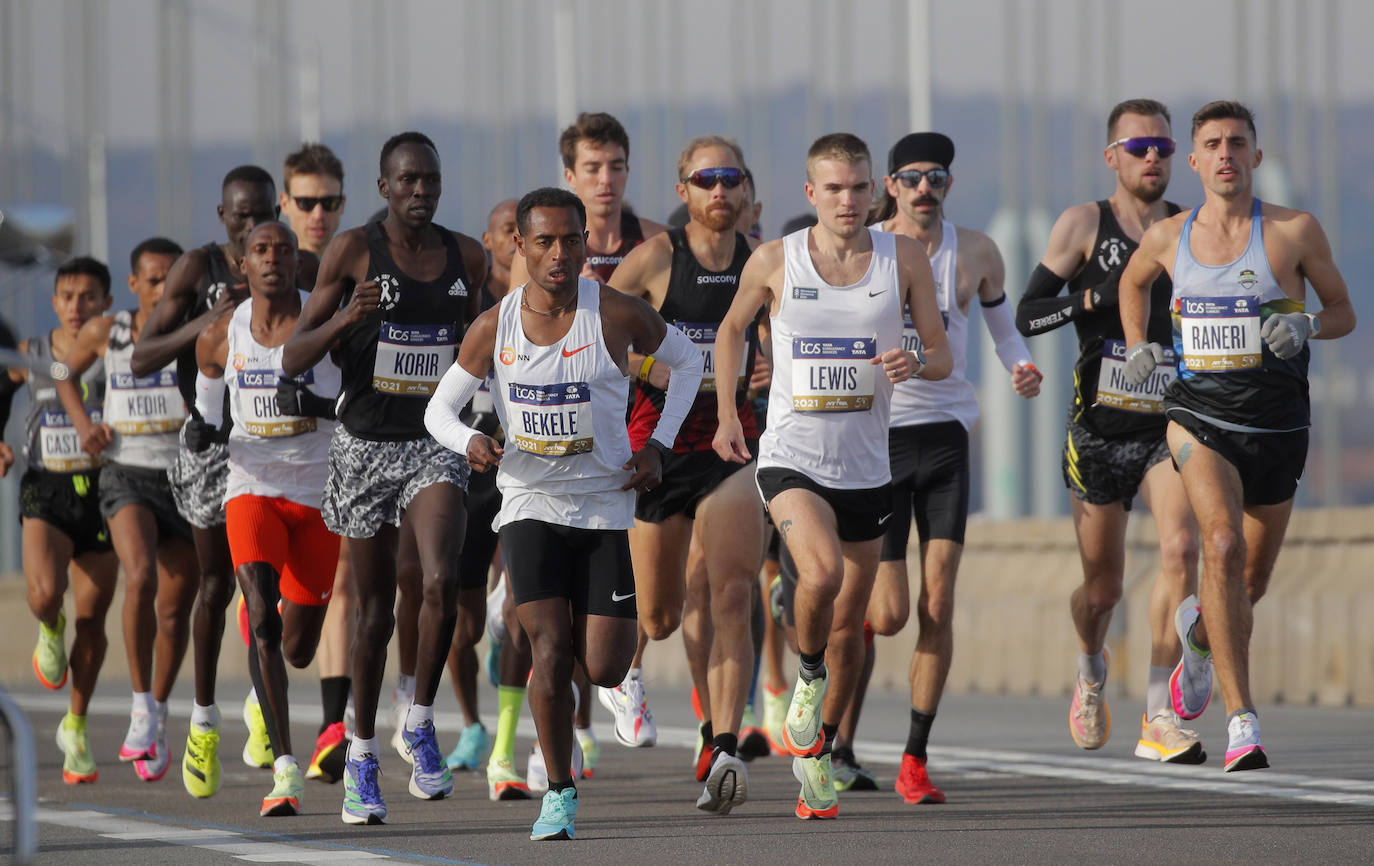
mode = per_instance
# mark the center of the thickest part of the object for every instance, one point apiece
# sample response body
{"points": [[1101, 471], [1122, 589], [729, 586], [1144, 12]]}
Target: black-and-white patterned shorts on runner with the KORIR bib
{"points": [[373, 482]]}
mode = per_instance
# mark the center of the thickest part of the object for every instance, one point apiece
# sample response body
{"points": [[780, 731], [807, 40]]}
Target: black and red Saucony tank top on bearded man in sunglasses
{"points": [[696, 303]]}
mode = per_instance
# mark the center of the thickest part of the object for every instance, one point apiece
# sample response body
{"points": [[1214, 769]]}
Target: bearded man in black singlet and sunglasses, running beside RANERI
{"points": [[1115, 442]]}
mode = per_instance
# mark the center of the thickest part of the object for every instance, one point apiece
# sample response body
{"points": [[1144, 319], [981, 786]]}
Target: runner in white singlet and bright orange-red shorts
{"points": [[278, 467]]}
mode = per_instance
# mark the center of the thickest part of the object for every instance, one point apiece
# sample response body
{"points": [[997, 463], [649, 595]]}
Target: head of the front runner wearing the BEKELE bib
{"points": [[552, 227]]}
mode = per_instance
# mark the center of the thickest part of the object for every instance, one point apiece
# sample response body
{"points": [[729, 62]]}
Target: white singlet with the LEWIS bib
{"points": [[829, 409]]}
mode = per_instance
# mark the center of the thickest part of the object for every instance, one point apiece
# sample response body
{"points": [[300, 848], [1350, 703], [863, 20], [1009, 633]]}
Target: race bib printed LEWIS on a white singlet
{"points": [[833, 375]]}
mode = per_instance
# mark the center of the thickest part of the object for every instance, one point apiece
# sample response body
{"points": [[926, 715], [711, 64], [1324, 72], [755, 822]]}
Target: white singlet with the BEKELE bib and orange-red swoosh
{"points": [[564, 413]]}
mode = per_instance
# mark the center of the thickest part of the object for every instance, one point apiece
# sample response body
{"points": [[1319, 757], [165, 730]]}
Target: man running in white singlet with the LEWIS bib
{"points": [[836, 298]]}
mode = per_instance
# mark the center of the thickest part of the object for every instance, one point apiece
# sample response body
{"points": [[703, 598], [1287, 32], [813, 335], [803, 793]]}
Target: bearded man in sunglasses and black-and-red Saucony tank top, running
{"points": [[690, 276]]}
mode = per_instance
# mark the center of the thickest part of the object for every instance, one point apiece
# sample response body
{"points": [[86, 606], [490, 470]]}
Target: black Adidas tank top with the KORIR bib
{"points": [[394, 359]]}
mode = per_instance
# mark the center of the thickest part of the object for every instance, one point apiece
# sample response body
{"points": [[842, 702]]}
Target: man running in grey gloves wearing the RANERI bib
{"points": [[1239, 409]]}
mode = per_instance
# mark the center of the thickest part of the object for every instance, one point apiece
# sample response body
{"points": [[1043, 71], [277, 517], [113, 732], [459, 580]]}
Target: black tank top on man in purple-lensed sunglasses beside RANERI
{"points": [[1111, 251]]}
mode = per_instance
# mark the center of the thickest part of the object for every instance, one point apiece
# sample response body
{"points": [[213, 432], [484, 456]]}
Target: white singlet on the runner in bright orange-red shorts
{"points": [[275, 456]]}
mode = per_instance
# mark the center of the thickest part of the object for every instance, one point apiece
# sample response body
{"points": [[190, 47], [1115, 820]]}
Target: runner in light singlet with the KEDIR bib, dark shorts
{"points": [[138, 438]]}
